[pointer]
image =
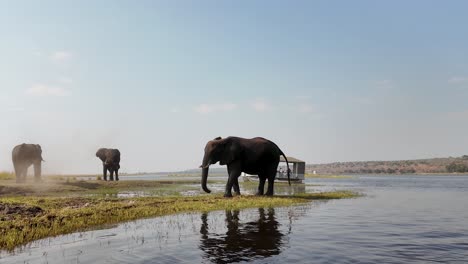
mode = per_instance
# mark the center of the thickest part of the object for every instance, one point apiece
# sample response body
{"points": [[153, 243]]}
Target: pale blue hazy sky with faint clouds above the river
{"points": [[326, 80]]}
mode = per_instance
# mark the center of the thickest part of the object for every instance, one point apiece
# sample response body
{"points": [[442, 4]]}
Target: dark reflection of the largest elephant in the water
{"points": [[242, 242]]}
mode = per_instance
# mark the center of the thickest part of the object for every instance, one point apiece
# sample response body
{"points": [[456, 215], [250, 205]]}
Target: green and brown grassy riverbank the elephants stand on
{"points": [[33, 211]]}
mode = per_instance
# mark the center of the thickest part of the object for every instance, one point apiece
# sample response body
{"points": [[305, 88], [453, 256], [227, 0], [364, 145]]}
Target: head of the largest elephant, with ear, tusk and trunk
{"points": [[218, 149]]}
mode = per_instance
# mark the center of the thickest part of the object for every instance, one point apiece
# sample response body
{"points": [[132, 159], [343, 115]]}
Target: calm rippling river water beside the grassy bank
{"points": [[401, 219]]}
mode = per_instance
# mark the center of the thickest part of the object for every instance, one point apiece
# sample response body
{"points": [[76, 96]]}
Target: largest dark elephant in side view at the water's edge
{"points": [[256, 156]]}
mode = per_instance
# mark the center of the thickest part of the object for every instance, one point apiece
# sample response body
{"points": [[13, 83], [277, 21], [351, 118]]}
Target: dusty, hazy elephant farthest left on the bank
{"points": [[25, 155]]}
